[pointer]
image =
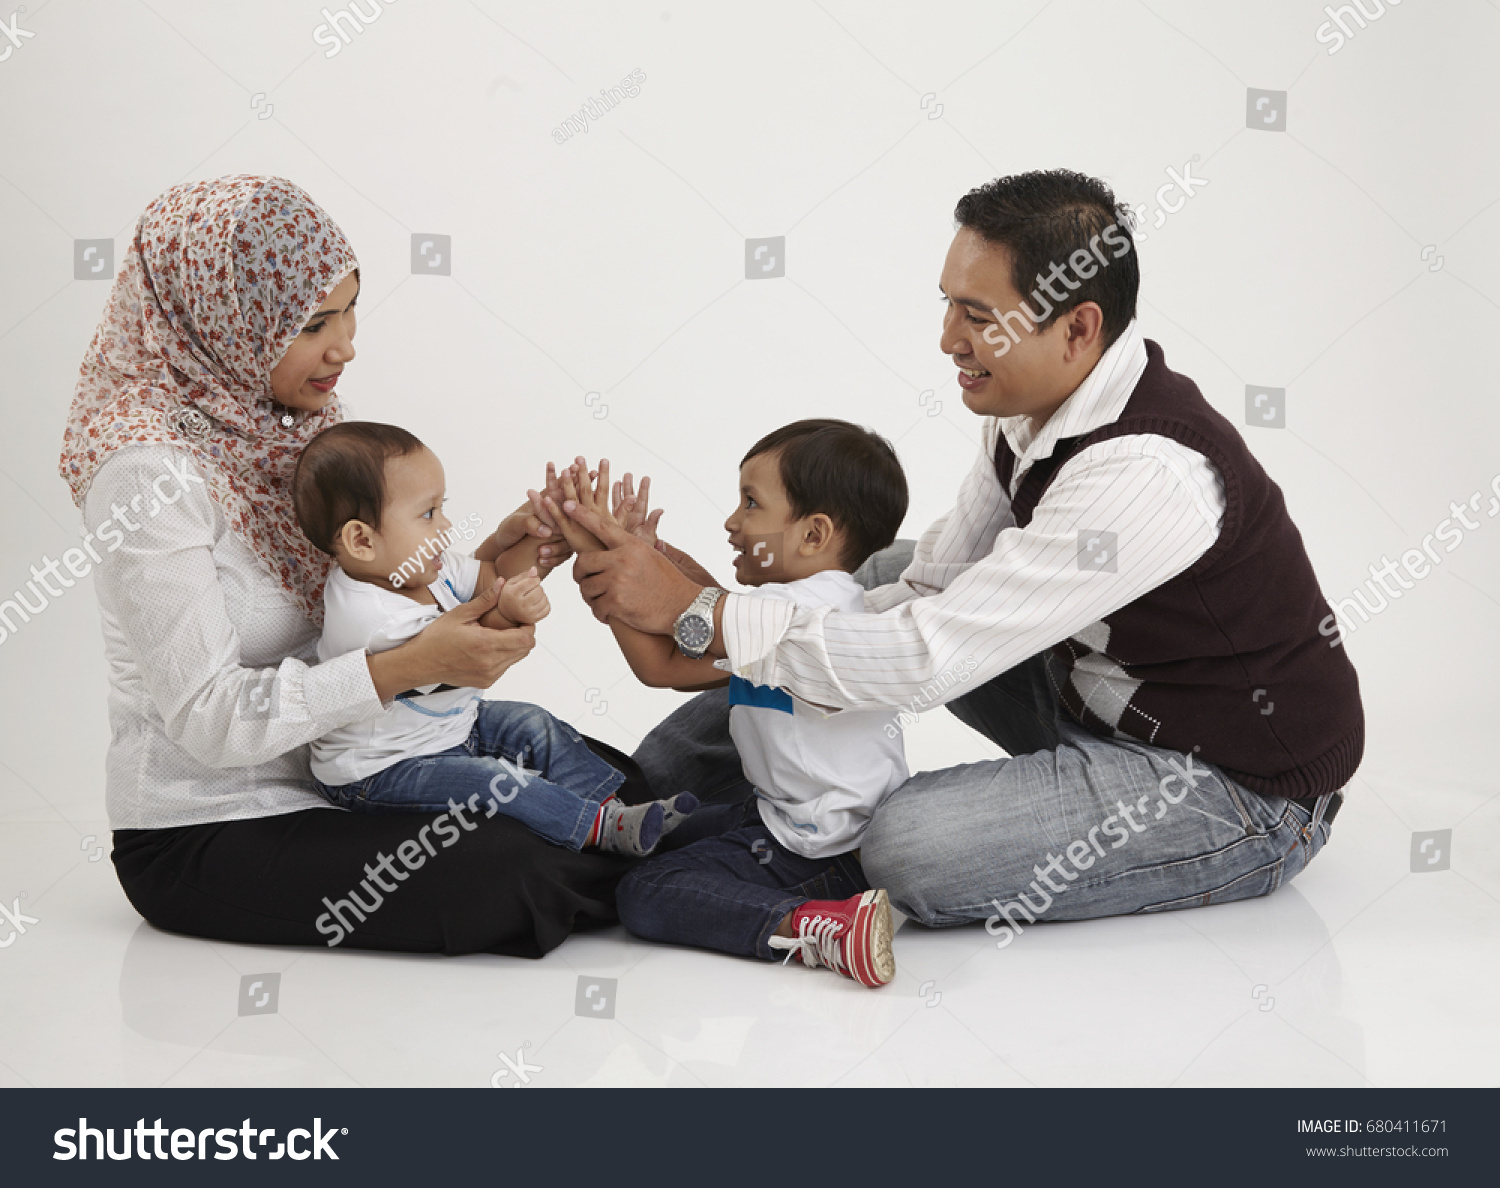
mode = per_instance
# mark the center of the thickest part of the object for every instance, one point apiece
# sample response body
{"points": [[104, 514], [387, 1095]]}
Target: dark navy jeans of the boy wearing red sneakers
{"points": [[730, 892]]}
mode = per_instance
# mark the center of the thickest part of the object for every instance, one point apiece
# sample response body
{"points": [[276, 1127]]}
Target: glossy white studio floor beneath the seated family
{"points": [[1361, 973]]}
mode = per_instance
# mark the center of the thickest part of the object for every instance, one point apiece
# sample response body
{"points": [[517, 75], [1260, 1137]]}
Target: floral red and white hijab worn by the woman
{"points": [[218, 283]]}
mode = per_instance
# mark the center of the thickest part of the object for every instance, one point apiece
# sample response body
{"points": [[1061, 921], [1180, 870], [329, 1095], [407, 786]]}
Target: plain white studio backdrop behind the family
{"points": [[1343, 250]]}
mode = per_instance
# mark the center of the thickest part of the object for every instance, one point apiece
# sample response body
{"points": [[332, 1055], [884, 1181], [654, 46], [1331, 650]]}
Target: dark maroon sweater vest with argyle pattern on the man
{"points": [[1226, 658]]}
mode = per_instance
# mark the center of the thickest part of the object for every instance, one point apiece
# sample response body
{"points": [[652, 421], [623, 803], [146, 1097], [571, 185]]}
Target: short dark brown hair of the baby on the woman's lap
{"points": [[341, 476]]}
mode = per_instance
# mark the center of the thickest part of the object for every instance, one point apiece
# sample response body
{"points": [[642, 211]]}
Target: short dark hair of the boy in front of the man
{"points": [[850, 475]]}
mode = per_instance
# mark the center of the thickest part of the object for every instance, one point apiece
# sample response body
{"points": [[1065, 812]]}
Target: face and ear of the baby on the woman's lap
{"points": [[412, 526]]}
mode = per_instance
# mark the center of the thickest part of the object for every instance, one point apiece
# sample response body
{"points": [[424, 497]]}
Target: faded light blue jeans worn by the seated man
{"points": [[1072, 827]]}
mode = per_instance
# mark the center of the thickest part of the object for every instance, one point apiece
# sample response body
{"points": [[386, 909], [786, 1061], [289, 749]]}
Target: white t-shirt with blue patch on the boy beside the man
{"points": [[820, 776]]}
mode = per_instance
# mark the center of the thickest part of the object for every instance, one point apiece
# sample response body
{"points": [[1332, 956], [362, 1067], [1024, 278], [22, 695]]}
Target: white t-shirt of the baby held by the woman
{"points": [[358, 616]]}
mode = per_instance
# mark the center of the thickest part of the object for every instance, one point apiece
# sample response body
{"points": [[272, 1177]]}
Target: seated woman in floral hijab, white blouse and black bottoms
{"points": [[217, 359]]}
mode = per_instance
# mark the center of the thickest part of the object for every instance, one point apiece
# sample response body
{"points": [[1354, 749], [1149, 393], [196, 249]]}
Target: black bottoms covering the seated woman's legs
{"points": [[493, 887]]}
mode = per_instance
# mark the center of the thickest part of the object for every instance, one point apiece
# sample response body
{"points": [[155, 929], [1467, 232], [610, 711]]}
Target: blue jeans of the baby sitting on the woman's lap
{"points": [[518, 761]]}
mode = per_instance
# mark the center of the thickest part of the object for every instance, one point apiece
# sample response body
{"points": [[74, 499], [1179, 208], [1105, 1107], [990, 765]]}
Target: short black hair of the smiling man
{"points": [[1046, 218]]}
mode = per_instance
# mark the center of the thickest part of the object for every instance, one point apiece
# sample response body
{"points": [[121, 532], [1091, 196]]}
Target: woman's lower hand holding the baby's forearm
{"points": [[455, 649]]}
